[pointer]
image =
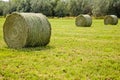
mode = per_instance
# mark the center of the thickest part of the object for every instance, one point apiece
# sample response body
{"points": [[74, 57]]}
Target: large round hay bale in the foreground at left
{"points": [[26, 30]]}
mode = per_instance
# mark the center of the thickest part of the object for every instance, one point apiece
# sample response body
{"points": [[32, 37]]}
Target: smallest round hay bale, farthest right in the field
{"points": [[110, 20]]}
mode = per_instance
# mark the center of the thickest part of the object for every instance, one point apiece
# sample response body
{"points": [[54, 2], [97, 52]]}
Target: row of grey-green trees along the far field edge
{"points": [[61, 8]]}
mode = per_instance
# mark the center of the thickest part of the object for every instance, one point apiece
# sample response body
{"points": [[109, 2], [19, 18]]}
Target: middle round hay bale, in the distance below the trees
{"points": [[83, 20]]}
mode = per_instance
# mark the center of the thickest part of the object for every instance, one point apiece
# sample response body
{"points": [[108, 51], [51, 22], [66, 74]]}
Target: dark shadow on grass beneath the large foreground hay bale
{"points": [[30, 49]]}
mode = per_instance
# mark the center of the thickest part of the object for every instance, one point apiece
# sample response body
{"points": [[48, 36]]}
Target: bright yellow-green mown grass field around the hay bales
{"points": [[74, 53]]}
